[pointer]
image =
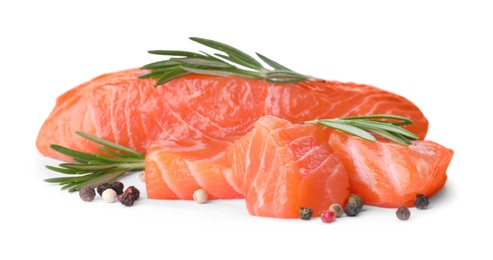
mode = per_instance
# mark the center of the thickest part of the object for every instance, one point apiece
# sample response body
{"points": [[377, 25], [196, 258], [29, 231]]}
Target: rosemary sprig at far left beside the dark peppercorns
{"points": [[95, 169]]}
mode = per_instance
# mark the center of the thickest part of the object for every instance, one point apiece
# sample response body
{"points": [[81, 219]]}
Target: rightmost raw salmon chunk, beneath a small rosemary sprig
{"points": [[388, 174]]}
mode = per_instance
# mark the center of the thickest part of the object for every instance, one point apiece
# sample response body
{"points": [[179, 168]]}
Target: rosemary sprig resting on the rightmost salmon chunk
{"points": [[386, 126]]}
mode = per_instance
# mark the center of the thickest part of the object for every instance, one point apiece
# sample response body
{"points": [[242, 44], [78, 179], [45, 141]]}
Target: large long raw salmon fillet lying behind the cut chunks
{"points": [[121, 108]]}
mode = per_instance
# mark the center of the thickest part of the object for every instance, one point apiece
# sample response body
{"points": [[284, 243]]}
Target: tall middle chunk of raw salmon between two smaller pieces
{"points": [[280, 167]]}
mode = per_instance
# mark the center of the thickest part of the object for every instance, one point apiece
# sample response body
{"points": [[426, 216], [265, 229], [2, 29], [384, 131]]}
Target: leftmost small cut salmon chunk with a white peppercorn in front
{"points": [[175, 169]]}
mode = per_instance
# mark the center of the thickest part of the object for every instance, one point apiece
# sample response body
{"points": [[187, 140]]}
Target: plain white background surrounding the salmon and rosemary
{"points": [[436, 53]]}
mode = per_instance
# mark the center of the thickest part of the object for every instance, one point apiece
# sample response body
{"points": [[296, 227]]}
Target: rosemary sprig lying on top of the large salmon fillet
{"points": [[231, 62]]}
